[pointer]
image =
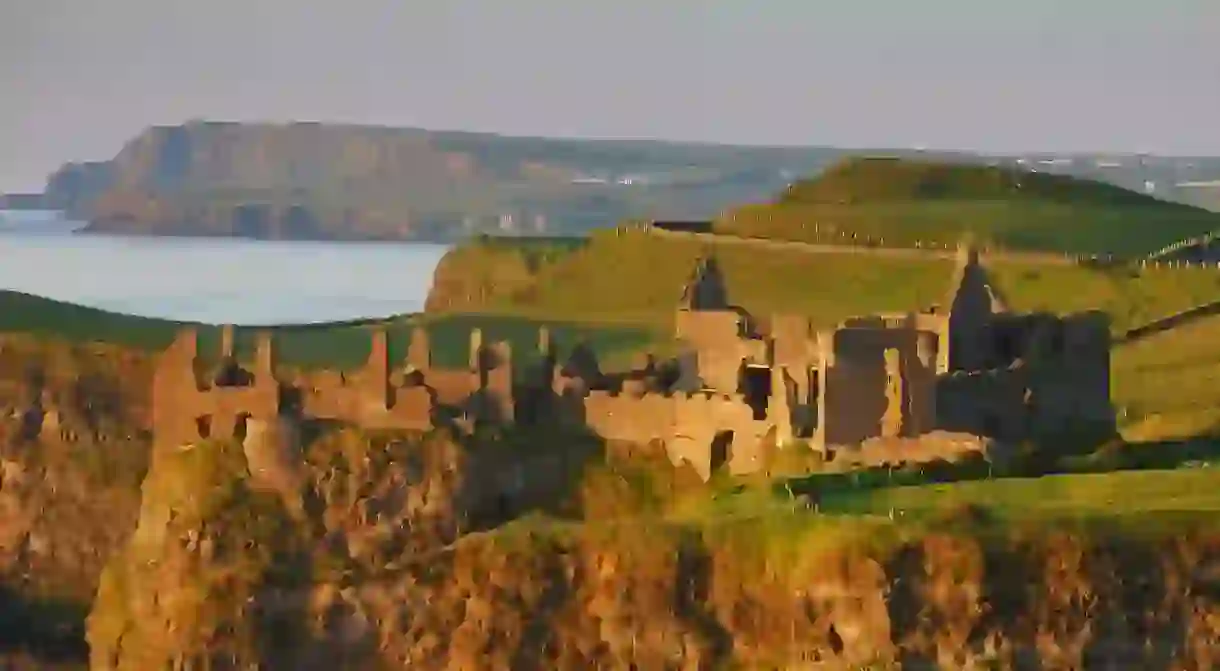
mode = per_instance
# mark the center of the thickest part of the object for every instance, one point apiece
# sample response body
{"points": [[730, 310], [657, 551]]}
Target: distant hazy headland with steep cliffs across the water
{"points": [[314, 181]]}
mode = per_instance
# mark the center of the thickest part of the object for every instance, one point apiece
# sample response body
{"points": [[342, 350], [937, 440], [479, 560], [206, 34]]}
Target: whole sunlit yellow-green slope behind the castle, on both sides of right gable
{"points": [[630, 278]]}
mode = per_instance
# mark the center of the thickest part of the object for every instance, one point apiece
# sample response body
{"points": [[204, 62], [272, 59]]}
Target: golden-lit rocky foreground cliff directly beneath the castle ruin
{"points": [[379, 573]]}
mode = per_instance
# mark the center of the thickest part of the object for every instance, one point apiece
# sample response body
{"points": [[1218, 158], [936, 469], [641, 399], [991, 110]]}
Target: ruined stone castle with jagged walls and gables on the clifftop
{"points": [[736, 386]]}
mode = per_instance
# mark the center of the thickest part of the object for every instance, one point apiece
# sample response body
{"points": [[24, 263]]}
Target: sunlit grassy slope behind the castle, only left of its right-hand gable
{"points": [[626, 276]]}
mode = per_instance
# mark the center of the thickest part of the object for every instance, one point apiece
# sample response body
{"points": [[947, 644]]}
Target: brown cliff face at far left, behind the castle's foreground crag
{"points": [[73, 454]]}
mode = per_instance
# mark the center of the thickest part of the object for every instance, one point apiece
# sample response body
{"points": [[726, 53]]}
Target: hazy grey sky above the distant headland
{"points": [[79, 77]]}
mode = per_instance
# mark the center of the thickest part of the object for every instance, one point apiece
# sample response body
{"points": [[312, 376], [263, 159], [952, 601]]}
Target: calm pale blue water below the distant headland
{"points": [[243, 282]]}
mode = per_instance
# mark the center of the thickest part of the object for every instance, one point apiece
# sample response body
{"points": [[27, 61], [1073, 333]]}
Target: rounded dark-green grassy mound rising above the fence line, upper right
{"points": [[906, 204]]}
